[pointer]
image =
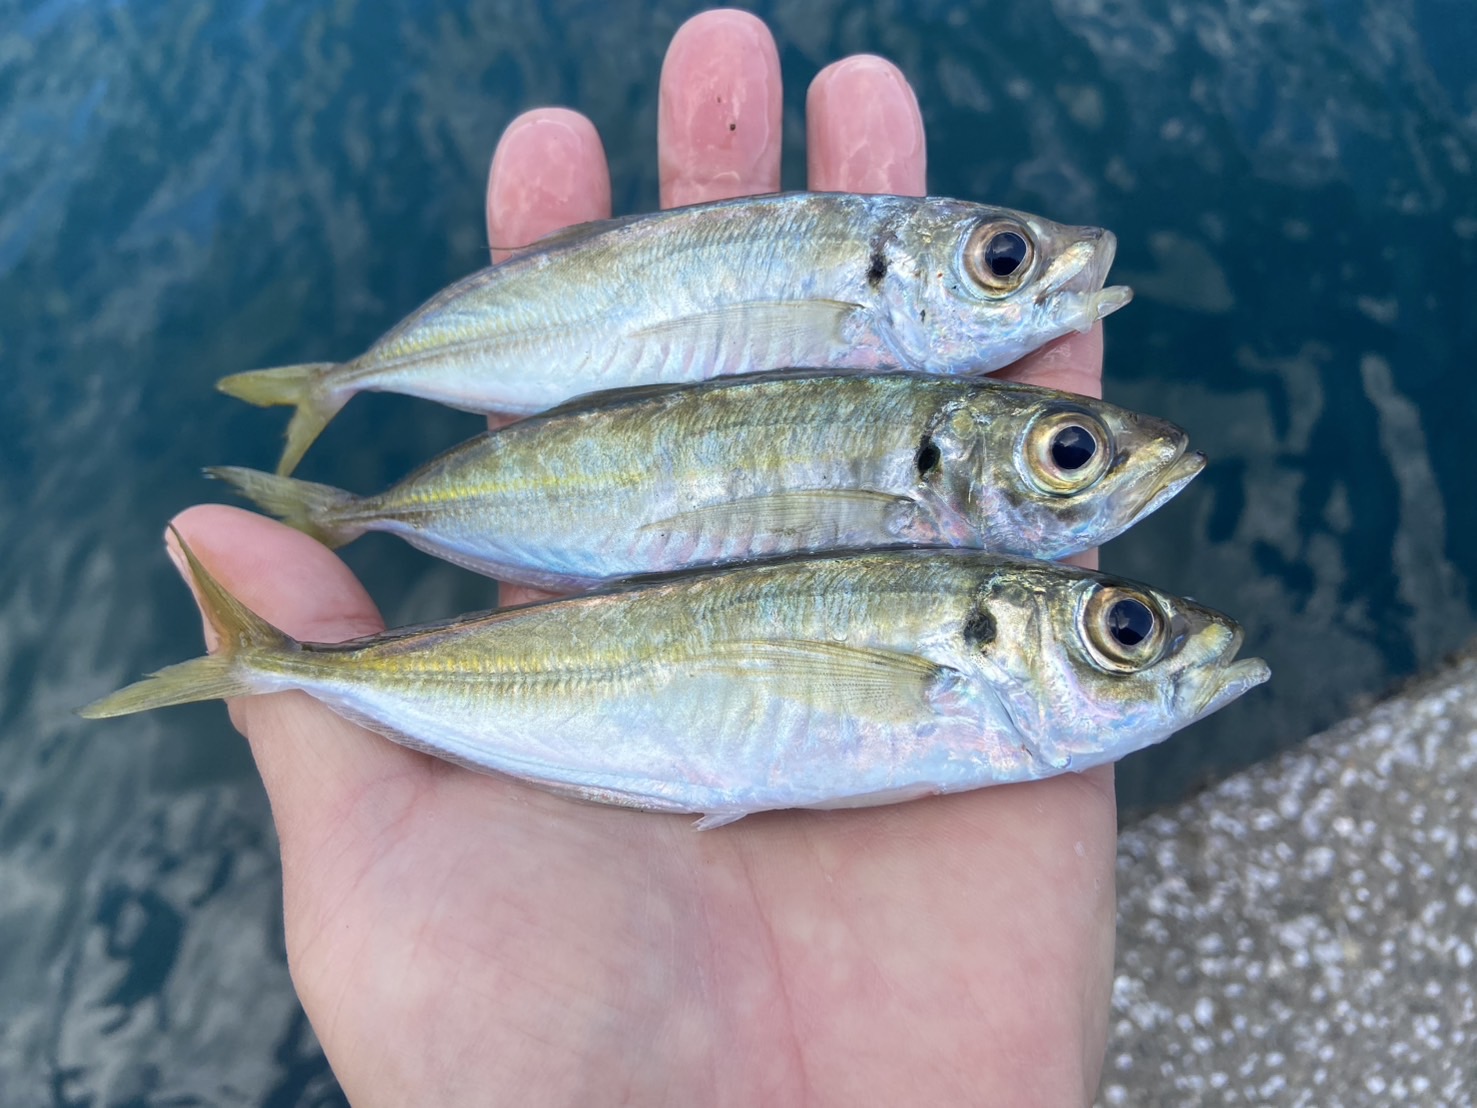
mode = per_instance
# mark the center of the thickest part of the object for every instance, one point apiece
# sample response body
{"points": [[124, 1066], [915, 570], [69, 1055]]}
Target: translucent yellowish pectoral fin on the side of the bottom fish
{"points": [[885, 686]]}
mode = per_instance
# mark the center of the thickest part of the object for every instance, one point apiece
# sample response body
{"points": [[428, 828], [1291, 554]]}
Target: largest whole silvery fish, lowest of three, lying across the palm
{"points": [[828, 682]]}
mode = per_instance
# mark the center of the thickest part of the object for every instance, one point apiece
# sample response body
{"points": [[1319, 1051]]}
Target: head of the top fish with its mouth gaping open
{"points": [[993, 284]]}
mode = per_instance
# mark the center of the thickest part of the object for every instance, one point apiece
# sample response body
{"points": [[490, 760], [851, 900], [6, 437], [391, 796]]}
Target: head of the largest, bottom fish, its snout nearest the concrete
{"points": [[1091, 668]]}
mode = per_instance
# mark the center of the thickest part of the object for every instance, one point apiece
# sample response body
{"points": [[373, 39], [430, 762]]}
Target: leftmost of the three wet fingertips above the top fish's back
{"points": [[547, 174]]}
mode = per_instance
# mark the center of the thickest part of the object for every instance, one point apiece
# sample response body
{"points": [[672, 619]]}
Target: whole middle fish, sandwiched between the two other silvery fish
{"points": [[667, 478]]}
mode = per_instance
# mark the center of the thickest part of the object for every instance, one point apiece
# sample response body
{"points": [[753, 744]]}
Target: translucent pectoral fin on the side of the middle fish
{"points": [[809, 518]]}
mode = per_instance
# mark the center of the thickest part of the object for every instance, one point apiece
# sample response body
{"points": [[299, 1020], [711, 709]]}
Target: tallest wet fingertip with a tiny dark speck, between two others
{"points": [[720, 110]]}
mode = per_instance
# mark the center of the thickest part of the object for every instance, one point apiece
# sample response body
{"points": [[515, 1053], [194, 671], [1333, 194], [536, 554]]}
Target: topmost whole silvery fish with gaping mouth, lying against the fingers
{"points": [[741, 286]]}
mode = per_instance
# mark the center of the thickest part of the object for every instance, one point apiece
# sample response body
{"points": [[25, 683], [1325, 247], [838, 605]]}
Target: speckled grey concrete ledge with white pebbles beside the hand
{"points": [[1305, 933]]}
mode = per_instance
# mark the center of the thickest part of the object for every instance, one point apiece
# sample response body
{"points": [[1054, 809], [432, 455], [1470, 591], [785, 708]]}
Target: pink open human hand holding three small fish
{"points": [[465, 939]]}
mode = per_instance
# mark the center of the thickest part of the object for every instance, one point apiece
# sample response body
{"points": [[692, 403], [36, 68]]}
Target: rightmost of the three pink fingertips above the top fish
{"points": [[863, 131]]}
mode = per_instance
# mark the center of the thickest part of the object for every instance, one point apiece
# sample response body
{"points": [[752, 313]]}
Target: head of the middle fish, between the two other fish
{"points": [[1044, 473]]}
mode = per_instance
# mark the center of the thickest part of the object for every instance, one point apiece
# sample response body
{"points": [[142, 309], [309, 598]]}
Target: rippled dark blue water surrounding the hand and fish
{"points": [[188, 191]]}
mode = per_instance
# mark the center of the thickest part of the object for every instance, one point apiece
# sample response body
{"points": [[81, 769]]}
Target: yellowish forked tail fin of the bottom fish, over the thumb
{"points": [[241, 632]]}
